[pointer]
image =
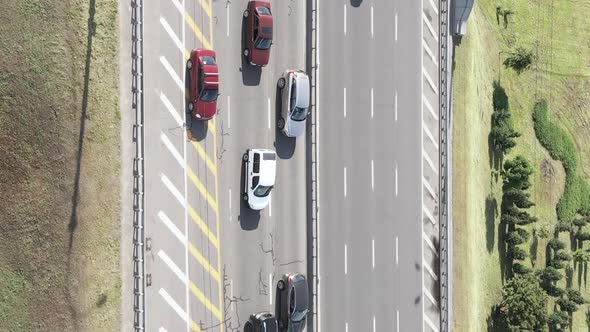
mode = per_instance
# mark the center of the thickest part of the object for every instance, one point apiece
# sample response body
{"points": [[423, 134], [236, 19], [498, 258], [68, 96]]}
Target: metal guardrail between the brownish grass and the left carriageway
{"points": [[138, 166]]}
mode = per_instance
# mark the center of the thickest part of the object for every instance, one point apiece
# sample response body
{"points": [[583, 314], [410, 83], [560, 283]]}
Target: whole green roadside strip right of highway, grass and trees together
{"points": [[522, 149]]}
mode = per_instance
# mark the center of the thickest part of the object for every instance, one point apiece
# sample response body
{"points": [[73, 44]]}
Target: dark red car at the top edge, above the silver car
{"points": [[258, 32]]}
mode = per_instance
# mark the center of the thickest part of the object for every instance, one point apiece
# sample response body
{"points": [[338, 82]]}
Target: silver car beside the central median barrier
{"points": [[295, 94]]}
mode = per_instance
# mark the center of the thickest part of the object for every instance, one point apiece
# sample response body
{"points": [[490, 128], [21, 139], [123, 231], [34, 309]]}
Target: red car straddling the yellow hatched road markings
{"points": [[204, 84]]}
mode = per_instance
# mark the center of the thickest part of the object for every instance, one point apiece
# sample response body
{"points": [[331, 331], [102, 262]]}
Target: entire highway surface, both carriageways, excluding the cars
{"points": [[210, 260]]}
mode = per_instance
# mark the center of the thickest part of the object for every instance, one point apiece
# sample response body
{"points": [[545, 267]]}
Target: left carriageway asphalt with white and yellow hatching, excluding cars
{"points": [[211, 261]]}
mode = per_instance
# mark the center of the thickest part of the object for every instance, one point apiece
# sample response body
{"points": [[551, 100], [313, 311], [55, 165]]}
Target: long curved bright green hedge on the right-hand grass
{"points": [[576, 195]]}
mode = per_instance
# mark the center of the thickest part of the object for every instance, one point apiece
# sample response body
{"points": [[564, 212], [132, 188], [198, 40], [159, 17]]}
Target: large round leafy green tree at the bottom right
{"points": [[523, 303]]}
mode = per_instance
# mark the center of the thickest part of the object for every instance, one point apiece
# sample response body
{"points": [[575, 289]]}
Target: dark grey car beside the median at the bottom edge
{"points": [[292, 302]]}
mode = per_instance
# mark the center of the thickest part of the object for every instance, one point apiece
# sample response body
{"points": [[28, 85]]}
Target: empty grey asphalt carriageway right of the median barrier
{"points": [[371, 159]]}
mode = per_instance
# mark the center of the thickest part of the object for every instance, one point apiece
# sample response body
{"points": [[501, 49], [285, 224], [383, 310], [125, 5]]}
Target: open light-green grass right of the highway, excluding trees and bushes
{"points": [[558, 33]]}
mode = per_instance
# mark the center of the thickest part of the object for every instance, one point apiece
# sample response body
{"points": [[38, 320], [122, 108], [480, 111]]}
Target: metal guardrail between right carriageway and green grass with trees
{"points": [[444, 125]]}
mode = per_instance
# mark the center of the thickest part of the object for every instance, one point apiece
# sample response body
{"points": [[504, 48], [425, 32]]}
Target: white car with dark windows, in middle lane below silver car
{"points": [[260, 166]]}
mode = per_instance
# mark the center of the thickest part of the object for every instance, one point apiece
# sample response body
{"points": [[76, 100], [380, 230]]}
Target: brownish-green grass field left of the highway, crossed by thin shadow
{"points": [[59, 165]]}
